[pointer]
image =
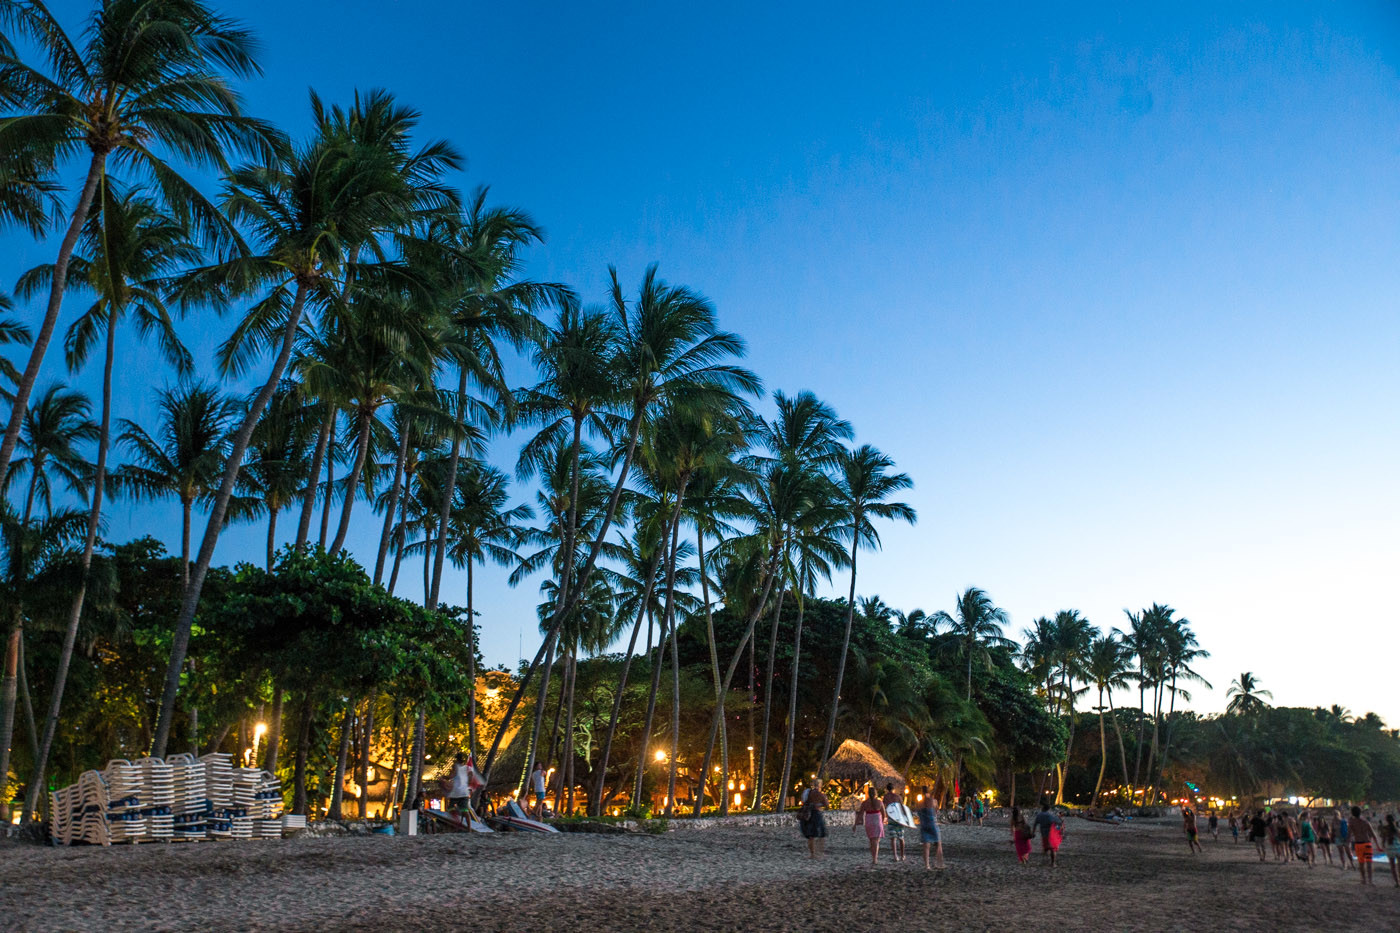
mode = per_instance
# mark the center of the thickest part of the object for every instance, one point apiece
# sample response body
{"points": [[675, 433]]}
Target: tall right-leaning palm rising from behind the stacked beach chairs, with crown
{"points": [[307, 209]]}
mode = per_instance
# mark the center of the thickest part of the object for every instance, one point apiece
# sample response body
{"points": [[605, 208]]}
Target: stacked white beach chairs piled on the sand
{"points": [[183, 799]]}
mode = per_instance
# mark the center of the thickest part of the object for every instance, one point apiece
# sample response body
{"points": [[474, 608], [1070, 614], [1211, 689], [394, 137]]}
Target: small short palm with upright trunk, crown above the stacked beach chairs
{"points": [[185, 457]]}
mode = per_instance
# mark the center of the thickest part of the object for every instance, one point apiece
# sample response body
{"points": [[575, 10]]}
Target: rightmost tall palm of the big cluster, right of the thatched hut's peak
{"points": [[863, 488]]}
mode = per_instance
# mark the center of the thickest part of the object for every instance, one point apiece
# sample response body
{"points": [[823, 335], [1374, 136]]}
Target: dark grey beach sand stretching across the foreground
{"points": [[1137, 878]]}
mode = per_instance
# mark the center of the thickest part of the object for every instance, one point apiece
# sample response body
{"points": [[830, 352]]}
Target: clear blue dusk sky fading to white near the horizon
{"points": [[1118, 289]]}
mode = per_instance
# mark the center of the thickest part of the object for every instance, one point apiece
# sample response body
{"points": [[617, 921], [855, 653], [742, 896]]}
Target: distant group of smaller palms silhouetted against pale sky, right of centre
{"points": [[1067, 656]]}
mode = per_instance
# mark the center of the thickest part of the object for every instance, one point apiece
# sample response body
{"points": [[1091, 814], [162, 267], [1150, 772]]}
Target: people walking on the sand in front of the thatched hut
{"points": [[874, 817]]}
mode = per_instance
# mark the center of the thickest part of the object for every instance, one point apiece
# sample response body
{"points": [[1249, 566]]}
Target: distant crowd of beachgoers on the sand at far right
{"points": [[1304, 836]]}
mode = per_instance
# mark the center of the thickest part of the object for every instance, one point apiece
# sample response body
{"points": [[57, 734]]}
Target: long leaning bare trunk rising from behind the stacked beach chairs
{"points": [[216, 523]]}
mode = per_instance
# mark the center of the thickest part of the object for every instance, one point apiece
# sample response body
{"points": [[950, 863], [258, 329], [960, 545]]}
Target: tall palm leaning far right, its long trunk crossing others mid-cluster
{"points": [[670, 347]]}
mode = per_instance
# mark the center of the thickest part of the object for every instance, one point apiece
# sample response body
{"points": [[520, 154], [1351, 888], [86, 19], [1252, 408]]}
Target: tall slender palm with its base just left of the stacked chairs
{"points": [[129, 249]]}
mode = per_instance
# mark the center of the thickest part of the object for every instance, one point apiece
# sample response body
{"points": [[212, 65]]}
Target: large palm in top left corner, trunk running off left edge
{"points": [[150, 74]]}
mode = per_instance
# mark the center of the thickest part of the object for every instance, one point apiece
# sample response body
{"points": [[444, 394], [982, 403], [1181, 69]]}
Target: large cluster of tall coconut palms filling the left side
{"points": [[373, 310]]}
